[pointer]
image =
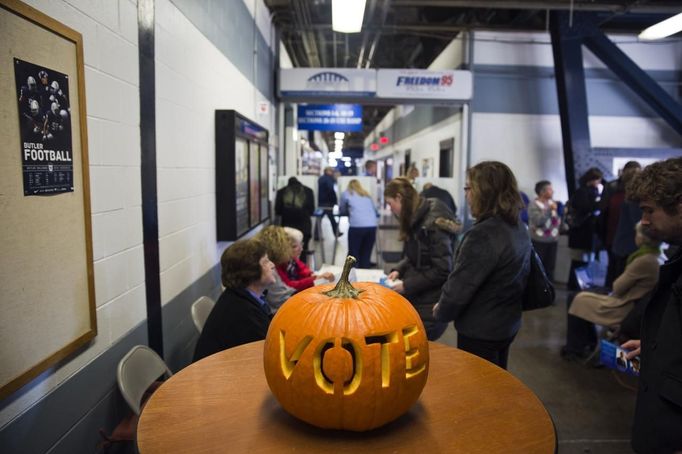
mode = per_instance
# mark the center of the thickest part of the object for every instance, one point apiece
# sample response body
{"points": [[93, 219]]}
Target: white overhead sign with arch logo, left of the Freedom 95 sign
{"points": [[330, 82]]}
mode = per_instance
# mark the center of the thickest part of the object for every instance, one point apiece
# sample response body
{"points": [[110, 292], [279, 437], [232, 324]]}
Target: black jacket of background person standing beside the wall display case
{"points": [[295, 203]]}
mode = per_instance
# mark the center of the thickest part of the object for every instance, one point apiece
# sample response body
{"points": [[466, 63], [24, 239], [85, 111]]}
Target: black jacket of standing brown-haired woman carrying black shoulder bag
{"points": [[484, 291]]}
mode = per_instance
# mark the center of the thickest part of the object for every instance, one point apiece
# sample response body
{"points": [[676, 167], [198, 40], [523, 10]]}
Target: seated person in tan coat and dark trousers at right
{"points": [[638, 279]]}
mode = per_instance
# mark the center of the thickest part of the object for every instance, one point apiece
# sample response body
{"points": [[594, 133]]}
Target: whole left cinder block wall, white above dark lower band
{"points": [[195, 74]]}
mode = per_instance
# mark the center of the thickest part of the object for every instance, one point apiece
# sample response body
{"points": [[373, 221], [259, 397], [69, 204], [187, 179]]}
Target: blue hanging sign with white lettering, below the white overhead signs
{"points": [[330, 117]]}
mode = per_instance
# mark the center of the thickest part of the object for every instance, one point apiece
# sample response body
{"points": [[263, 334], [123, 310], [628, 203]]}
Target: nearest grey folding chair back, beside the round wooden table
{"points": [[137, 370]]}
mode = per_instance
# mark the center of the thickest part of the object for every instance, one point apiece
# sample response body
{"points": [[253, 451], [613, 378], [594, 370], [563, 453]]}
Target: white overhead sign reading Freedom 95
{"points": [[449, 85]]}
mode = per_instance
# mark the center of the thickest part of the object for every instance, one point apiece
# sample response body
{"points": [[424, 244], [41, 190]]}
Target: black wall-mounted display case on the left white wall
{"points": [[241, 175]]}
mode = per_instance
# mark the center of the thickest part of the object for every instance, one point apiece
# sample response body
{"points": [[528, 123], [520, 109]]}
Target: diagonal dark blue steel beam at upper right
{"points": [[635, 78]]}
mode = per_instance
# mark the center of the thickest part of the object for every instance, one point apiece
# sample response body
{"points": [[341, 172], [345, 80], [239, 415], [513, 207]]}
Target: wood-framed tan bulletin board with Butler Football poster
{"points": [[47, 297]]}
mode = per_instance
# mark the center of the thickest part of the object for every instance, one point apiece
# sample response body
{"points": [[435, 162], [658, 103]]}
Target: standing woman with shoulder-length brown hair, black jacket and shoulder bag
{"points": [[484, 291]]}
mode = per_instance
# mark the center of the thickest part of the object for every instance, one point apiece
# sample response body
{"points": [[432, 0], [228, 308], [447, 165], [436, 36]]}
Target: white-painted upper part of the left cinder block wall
{"points": [[193, 78]]}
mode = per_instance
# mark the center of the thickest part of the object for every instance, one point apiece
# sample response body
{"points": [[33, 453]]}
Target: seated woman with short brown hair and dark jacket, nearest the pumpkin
{"points": [[240, 315]]}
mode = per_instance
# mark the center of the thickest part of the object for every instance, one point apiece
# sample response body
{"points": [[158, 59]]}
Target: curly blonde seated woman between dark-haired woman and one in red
{"points": [[278, 247]]}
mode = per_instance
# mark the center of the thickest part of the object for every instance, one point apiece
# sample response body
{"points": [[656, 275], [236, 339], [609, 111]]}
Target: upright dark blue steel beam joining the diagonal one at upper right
{"points": [[571, 91]]}
